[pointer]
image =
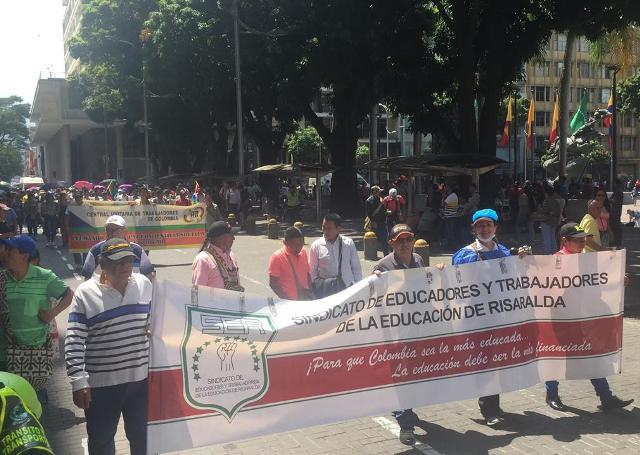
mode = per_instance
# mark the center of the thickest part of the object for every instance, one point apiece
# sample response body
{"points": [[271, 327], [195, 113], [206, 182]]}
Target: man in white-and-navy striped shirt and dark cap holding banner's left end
{"points": [[107, 350]]}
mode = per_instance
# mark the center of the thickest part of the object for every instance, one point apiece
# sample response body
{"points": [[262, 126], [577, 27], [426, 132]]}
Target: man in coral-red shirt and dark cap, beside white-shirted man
{"points": [[289, 268]]}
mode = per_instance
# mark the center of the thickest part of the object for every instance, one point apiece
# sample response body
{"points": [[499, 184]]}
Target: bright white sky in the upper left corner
{"points": [[30, 44]]}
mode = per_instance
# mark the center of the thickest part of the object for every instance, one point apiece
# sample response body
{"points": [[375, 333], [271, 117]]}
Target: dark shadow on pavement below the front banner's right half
{"points": [[563, 429]]}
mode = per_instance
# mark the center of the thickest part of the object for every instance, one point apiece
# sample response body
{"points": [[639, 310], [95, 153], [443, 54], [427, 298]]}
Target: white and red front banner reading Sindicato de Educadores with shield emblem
{"points": [[228, 366]]}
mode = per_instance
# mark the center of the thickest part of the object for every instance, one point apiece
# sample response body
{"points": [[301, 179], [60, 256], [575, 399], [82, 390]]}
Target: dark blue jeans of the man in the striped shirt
{"points": [[107, 403]]}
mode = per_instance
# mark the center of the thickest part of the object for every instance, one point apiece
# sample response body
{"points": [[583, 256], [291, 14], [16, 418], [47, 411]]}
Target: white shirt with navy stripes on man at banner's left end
{"points": [[106, 342]]}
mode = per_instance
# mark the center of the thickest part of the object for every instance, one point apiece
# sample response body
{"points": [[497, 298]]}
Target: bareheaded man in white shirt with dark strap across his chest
{"points": [[333, 256]]}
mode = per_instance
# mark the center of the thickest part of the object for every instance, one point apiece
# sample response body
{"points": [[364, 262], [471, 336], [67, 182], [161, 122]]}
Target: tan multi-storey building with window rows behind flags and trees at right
{"points": [[543, 79]]}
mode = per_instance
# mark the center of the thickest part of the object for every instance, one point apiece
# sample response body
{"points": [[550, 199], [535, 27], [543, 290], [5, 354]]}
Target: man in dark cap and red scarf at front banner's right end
{"points": [[572, 241]]}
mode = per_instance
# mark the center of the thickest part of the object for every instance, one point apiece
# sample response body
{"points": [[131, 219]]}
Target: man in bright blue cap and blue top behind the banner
{"points": [[483, 248]]}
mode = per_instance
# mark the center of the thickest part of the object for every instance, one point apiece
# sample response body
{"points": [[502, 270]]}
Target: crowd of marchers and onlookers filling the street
{"points": [[109, 311]]}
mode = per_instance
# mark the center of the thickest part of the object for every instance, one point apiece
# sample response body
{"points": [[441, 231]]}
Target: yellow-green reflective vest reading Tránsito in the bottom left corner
{"points": [[20, 431]]}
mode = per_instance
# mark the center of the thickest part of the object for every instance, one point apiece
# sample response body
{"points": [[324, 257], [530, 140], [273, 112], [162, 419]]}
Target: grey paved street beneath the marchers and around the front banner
{"points": [[452, 428]]}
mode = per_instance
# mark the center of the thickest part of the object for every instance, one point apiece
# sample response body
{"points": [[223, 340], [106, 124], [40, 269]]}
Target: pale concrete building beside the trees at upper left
{"points": [[70, 145]]}
